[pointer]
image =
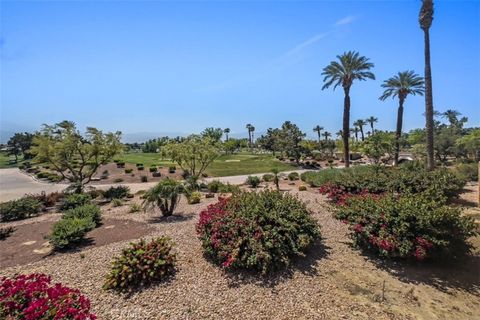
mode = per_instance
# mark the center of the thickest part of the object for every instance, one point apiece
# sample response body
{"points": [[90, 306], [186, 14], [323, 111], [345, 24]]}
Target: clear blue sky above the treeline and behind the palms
{"points": [[178, 67]]}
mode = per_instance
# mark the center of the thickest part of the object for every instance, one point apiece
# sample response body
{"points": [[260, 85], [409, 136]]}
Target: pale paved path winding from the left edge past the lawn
{"points": [[15, 184]]}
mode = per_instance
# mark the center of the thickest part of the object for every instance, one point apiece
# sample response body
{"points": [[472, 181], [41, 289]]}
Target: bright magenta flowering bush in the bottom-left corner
{"points": [[33, 297]]}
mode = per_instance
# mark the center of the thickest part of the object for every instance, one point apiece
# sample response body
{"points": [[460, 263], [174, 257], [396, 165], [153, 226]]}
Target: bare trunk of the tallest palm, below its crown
{"points": [[429, 104]]}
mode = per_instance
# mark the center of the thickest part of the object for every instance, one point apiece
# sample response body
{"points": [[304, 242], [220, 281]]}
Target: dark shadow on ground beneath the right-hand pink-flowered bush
{"points": [[444, 275]]}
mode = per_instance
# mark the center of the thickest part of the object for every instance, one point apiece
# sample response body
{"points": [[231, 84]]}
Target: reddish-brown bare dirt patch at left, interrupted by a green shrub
{"points": [[28, 244]]}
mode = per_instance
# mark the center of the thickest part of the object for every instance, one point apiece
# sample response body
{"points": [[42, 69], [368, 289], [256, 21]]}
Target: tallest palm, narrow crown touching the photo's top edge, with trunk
{"points": [[425, 19]]}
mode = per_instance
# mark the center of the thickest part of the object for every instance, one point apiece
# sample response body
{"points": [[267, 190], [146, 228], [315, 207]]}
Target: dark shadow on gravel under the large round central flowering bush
{"points": [[304, 264]]}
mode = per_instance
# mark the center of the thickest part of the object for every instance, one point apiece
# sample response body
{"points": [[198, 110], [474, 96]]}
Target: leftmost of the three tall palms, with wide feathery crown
{"points": [[349, 67]]}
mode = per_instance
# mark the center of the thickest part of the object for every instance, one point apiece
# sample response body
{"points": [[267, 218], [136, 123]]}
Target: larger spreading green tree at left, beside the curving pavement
{"points": [[75, 157]]}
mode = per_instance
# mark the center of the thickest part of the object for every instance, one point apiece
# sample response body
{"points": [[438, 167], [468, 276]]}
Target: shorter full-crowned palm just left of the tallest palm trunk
{"points": [[401, 85]]}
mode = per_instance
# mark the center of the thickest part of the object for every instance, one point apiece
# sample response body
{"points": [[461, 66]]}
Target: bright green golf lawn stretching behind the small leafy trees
{"points": [[225, 165]]}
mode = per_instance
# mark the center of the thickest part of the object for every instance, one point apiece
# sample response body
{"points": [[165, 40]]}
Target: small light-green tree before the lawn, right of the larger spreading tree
{"points": [[193, 155]]}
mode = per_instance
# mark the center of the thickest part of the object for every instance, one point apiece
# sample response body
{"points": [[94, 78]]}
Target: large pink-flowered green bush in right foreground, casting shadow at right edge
{"points": [[407, 226]]}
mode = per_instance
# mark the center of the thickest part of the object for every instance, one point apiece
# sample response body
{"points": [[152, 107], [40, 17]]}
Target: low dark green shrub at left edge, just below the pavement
{"points": [[19, 209]]}
